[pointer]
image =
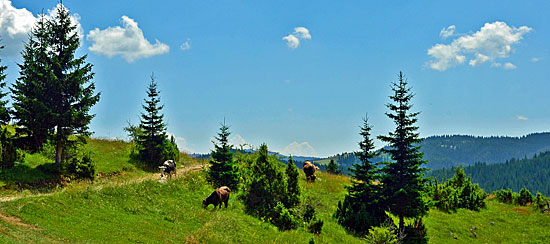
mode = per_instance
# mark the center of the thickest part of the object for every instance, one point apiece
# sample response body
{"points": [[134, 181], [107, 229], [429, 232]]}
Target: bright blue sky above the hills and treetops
{"points": [[300, 75]]}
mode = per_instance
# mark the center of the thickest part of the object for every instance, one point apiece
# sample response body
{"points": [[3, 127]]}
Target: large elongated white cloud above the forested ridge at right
{"points": [[492, 42]]}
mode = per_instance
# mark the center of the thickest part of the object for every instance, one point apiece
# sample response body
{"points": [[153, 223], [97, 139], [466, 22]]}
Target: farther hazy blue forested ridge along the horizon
{"points": [[461, 150]]}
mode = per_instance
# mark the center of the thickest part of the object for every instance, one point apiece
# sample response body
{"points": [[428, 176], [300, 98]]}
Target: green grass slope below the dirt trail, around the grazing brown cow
{"points": [[150, 212]]}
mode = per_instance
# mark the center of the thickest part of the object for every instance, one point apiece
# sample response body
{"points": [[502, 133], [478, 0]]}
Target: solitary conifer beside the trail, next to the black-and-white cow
{"points": [[153, 137]]}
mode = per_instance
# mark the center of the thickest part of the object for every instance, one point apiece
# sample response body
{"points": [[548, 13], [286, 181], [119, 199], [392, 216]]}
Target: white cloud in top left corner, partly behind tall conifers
{"points": [[16, 24]]}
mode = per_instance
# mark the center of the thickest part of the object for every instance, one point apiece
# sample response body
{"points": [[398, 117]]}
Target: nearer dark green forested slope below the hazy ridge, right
{"points": [[533, 173]]}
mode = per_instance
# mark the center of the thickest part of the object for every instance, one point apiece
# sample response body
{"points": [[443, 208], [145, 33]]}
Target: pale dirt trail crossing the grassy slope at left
{"points": [[104, 183]]}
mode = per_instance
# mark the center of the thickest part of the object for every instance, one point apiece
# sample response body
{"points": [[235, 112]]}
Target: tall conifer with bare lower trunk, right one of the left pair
{"points": [[71, 91]]}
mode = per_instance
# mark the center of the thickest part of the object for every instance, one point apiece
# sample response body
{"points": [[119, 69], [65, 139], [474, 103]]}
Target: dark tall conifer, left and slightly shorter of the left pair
{"points": [[31, 92]]}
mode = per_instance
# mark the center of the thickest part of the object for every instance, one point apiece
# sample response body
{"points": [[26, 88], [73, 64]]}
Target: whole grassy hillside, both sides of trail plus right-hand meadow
{"points": [[132, 206]]}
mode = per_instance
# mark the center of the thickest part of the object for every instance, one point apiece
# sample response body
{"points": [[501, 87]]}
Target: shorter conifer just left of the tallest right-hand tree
{"points": [[363, 207]]}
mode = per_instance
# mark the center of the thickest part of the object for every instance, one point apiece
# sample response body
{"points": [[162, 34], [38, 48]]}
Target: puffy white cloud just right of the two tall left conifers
{"points": [[127, 41]]}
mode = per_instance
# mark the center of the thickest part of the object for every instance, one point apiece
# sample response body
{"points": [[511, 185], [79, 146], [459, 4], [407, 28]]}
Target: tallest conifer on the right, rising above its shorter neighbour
{"points": [[403, 183]]}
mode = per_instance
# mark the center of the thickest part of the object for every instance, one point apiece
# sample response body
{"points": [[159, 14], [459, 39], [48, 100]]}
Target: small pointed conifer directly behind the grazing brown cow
{"points": [[222, 170]]}
